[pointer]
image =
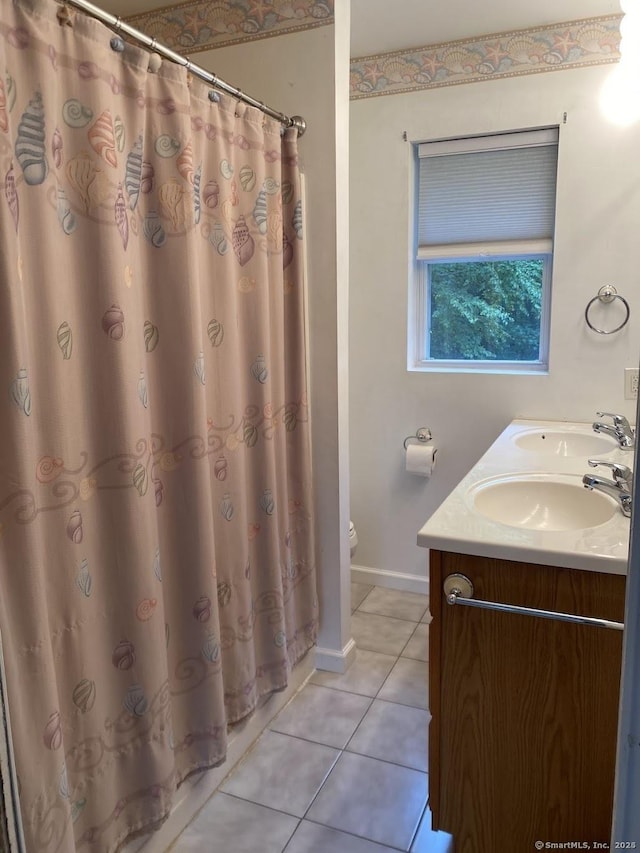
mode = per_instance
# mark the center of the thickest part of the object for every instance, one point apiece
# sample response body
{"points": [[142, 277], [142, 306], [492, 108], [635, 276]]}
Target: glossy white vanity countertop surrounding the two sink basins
{"points": [[456, 526]]}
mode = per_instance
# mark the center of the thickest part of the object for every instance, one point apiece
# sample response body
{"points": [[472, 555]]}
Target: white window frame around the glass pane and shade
{"points": [[418, 303]]}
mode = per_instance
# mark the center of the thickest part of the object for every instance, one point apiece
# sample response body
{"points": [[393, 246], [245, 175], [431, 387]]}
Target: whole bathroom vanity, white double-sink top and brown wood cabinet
{"points": [[524, 709]]}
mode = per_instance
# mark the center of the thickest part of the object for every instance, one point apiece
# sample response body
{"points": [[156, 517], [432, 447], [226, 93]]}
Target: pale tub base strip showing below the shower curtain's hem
{"points": [[196, 790]]}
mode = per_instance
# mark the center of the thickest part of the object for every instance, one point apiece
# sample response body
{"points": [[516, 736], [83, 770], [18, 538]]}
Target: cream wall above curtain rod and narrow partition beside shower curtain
{"points": [[306, 73]]}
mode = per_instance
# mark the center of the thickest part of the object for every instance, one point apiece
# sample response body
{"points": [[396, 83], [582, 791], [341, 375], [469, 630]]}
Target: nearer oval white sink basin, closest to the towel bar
{"points": [[541, 502]]}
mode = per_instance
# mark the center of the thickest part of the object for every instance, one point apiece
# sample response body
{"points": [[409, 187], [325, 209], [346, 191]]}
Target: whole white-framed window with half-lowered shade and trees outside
{"points": [[484, 225]]}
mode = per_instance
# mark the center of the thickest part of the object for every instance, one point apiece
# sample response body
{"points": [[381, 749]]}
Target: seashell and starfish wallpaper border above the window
{"points": [[592, 41]]}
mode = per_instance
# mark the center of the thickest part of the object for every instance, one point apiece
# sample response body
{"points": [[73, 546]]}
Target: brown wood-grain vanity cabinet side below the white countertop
{"points": [[524, 710]]}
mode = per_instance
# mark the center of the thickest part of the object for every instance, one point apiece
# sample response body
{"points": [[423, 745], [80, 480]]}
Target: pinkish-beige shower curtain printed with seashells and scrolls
{"points": [[156, 537]]}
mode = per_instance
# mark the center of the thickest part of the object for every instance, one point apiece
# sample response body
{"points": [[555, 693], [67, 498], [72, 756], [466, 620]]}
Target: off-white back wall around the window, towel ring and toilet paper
{"points": [[597, 242]]}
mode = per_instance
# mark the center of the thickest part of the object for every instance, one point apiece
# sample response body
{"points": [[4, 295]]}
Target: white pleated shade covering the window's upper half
{"points": [[494, 190]]}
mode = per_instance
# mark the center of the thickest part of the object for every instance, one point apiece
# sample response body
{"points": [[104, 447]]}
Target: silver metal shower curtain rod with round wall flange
{"points": [[117, 24]]}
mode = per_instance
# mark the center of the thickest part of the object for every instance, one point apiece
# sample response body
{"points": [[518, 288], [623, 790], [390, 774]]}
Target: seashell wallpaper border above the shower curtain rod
{"points": [[195, 26]]}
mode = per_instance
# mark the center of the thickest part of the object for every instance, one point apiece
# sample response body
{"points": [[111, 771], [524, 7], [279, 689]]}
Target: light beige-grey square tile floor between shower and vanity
{"points": [[343, 767]]}
